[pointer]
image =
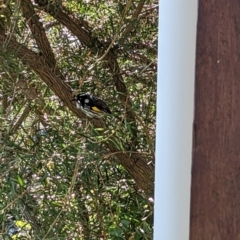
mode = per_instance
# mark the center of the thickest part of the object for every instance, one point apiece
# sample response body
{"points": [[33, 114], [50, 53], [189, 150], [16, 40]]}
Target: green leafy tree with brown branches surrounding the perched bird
{"points": [[62, 175]]}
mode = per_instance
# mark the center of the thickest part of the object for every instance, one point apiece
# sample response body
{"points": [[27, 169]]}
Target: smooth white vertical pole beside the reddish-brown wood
{"points": [[175, 99]]}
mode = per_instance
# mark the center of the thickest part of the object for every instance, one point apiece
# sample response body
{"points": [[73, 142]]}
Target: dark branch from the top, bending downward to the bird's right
{"points": [[78, 28]]}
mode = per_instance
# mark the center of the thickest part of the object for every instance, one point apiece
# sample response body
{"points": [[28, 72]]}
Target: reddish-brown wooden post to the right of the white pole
{"points": [[215, 193]]}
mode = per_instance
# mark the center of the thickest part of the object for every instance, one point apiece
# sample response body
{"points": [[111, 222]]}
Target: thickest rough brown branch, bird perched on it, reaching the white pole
{"points": [[136, 165]]}
